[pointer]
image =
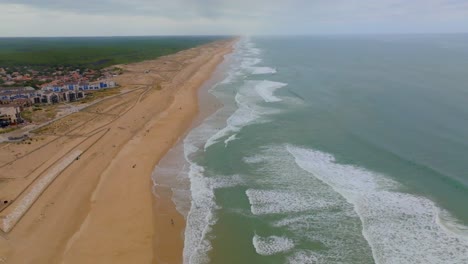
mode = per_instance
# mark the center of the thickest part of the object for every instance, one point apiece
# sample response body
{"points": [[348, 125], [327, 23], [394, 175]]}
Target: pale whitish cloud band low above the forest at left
{"points": [[23, 20]]}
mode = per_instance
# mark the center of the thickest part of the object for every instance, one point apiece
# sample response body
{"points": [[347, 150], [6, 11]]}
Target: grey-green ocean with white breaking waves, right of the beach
{"points": [[331, 149]]}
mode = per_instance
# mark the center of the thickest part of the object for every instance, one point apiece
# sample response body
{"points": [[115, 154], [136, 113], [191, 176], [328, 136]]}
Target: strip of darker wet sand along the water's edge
{"points": [[172, 164]]}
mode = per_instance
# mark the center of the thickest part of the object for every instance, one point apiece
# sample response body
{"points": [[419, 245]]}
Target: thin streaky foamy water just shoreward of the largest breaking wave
{"points": [[289, 199]]}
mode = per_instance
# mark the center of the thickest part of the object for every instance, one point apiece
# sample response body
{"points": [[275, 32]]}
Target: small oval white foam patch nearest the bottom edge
{"points": [[271, 245]]}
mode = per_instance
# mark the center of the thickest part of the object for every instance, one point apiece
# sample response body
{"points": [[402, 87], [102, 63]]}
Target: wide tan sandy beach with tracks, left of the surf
{"points": [[91, 171]]}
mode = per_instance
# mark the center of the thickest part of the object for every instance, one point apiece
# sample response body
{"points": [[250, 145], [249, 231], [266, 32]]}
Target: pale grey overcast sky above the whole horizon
{"points": [[208, 17]]}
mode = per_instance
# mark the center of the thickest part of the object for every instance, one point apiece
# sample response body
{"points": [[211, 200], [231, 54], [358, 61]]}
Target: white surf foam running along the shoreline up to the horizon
{"points": [[201, 216]]}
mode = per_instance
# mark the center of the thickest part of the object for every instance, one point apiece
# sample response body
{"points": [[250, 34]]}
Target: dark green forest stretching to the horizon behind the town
{"points": [[91, 52]]}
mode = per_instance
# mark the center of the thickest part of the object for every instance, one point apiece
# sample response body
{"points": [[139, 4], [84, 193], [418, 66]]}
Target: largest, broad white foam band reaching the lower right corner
{"points": [[399, 227]]}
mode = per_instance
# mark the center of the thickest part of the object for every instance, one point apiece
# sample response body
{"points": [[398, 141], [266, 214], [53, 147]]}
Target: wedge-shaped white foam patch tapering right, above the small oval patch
{"points": [[274, 202]]}
